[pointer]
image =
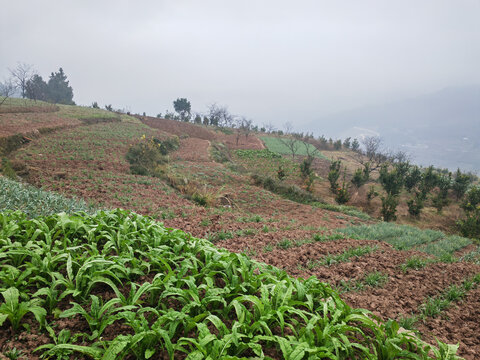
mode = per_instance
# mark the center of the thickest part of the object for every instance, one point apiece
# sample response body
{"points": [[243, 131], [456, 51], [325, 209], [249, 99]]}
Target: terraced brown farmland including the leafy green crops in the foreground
{"points": [[415, 277]]}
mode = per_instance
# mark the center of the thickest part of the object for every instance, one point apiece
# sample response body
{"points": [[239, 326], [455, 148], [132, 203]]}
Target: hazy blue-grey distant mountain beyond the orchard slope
{"points": [[442, 128]]}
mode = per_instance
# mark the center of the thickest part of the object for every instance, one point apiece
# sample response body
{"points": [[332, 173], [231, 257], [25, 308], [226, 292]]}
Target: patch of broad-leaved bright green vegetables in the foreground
{"points": [[169, 294]]}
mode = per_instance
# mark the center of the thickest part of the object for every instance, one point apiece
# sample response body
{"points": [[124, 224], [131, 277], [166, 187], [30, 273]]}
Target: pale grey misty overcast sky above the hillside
{"points": [[272, 61]]}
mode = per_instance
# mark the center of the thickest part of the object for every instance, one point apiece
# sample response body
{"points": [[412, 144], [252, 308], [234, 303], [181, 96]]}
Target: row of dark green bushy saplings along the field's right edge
{"points": [[439, 188]]}
